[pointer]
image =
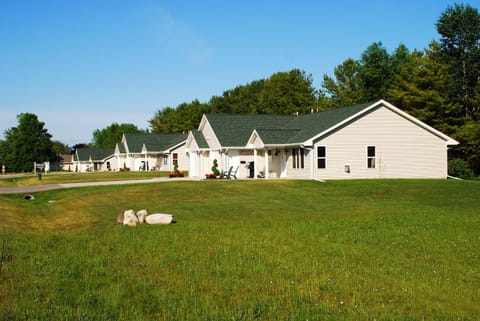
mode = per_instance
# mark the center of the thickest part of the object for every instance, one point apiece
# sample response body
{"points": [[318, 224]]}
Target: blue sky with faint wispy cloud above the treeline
{"points": [[83, 65]]}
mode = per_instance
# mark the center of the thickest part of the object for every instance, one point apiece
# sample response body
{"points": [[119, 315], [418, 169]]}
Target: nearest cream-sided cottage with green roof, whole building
{"points": [[372, 140]]}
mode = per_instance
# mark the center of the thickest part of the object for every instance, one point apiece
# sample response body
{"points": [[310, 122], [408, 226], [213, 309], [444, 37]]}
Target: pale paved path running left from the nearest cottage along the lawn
{"points": [[48, 187]]}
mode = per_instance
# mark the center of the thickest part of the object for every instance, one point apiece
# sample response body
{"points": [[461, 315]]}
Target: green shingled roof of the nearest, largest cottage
{"points": [[235, 130]]}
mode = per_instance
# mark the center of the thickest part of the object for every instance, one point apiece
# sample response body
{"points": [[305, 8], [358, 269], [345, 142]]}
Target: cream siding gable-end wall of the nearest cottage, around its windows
{"points": [[403, 150]]}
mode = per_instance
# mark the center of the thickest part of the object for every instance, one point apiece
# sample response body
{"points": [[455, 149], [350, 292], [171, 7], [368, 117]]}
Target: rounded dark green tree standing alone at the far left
{"points": [[25, 144]]}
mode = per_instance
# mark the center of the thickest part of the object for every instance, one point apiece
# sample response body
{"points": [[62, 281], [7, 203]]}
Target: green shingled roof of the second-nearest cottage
{"points": [[153, 142]]}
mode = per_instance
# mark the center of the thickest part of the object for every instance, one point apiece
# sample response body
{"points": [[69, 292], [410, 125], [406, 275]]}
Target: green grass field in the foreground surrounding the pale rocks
{"points": [[245, 250]]}
